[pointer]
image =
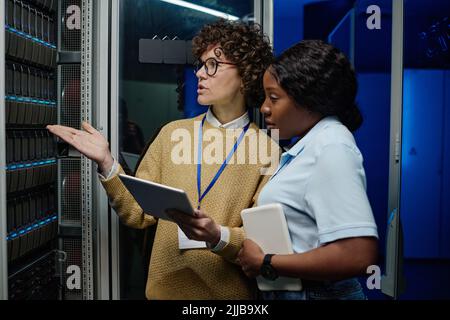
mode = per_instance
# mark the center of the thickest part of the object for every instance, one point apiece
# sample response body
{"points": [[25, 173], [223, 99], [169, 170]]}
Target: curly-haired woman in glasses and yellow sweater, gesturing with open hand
{"points": [[196, 257]]}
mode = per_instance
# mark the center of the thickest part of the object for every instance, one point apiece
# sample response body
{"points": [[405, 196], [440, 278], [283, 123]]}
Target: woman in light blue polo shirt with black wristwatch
{"points": [[320, 183]]}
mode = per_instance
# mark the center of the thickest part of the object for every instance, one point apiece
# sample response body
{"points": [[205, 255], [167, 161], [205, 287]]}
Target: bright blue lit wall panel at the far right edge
{"points": [[421, 162]]}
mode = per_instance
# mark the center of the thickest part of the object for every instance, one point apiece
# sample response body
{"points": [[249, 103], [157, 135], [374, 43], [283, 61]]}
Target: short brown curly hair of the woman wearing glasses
{"points": [[243, 44]]}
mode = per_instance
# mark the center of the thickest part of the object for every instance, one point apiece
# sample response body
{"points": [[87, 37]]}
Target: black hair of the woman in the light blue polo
{"points": [[320, 78]]}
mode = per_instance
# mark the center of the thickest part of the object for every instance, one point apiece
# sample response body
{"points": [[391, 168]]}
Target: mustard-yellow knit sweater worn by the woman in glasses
{"points": [[195, 273]]}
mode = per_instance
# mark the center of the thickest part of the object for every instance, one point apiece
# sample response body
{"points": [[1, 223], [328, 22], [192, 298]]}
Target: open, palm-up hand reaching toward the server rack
{"points": [[89, 142]]}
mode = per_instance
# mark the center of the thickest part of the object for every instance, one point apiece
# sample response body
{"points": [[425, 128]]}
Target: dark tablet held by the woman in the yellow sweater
{"points": [[155, 198]]}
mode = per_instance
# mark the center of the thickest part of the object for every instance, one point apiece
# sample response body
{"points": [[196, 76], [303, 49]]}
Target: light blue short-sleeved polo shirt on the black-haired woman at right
{"points": [[321, 185]]}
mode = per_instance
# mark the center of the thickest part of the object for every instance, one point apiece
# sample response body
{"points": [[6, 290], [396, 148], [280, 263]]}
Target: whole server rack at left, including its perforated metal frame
{"points": [[45, 223]]}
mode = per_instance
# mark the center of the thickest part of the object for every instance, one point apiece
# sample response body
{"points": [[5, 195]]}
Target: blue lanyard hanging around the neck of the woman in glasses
{"points": [[222, 167]]}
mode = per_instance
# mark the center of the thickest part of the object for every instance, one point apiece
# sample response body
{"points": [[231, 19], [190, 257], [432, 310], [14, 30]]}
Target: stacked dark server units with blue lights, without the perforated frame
{"points": [[30, 169]]}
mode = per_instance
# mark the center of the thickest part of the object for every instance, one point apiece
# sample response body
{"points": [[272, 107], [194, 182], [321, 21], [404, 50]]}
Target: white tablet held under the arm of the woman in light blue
{"points": [[266, 225]]}
